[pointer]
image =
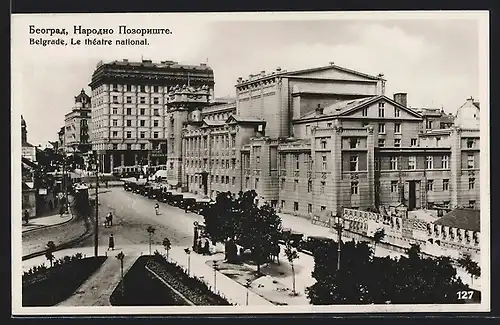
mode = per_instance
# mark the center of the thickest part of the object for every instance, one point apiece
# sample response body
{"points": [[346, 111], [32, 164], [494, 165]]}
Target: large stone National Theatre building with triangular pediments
{"points": [[325, 138]]}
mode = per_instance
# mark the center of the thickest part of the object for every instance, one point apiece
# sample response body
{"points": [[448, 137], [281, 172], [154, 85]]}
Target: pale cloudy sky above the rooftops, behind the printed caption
{"points": [[435, 59]]}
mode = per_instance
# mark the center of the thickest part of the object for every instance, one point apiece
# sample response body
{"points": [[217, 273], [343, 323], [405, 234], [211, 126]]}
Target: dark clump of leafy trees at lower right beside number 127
{"points": [[364, 279]]}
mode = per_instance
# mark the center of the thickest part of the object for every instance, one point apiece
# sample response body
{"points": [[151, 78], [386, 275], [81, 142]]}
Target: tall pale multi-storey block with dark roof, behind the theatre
{"points": [[129, 109]]}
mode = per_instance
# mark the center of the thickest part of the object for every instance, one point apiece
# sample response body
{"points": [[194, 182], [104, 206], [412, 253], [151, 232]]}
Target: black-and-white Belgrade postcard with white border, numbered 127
{"points": [[250, 163]]}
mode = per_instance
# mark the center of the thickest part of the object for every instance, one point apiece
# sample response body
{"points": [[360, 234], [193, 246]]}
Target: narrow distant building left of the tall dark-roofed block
{"points": [[76, 130]]}
